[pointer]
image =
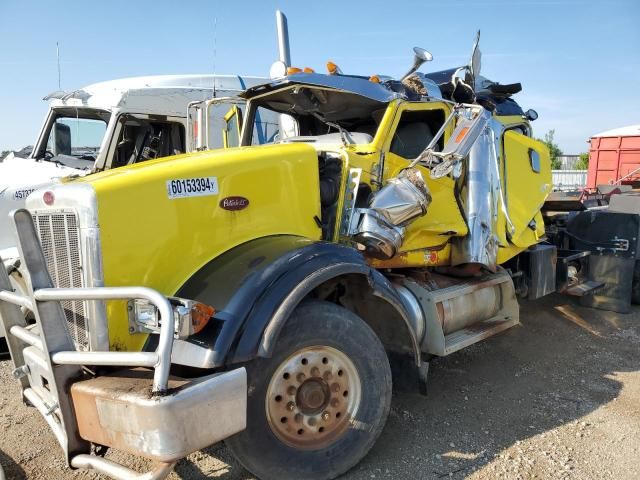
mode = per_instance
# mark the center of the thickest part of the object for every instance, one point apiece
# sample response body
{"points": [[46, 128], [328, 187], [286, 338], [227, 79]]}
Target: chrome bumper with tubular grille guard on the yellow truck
{"points": [[143, 412]]}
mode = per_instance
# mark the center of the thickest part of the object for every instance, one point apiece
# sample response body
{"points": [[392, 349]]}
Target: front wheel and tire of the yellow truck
{"points": [[318, 405]]}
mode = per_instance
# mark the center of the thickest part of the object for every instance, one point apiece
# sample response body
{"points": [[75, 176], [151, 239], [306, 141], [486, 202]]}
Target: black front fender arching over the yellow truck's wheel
{"points": [[257, 285]]}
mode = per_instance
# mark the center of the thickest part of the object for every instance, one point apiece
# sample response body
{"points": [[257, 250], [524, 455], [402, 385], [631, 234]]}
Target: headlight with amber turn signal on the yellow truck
{"points": [[189, 317]]}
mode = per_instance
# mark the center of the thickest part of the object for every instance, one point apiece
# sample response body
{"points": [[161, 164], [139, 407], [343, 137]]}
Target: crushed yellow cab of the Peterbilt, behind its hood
{"points": [[376, 133]]}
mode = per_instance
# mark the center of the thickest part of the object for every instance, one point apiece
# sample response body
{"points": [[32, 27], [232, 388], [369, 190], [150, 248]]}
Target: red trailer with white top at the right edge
{"points": [[614, 157]]}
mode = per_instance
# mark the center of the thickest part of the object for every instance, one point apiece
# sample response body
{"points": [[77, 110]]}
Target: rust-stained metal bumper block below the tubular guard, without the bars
{"points": [[116, 410]]}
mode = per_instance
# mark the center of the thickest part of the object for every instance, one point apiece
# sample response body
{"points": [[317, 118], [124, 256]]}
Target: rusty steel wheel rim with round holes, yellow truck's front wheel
{"points": [[312, 397]]}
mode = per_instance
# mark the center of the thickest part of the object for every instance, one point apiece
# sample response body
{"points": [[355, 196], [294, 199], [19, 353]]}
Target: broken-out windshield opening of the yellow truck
{"points": [[303, 112]]}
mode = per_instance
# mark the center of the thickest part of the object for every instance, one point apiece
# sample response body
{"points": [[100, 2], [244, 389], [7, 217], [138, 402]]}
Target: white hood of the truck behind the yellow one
{"points": [[19, 177]]}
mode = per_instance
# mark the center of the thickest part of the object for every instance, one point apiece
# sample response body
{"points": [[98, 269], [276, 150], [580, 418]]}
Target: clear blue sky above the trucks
{"points": [[578, 61]]}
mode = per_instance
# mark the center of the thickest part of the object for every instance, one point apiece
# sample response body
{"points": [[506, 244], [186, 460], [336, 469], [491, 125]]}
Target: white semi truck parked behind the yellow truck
{"points": [[107, 125]]}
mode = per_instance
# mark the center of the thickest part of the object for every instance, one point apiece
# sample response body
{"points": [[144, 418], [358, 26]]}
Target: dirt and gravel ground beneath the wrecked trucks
{"points": [[556, 397]]}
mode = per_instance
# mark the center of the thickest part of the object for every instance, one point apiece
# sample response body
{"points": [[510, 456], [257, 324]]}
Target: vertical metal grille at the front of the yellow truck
{"points": [[60, 240]]}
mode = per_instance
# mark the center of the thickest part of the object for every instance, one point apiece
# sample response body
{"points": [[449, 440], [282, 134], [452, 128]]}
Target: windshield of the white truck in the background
{"points": [[74, 137]]}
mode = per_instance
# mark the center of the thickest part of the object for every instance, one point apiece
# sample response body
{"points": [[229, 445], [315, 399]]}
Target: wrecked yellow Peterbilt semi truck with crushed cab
{"points": [[268, 295]]}
